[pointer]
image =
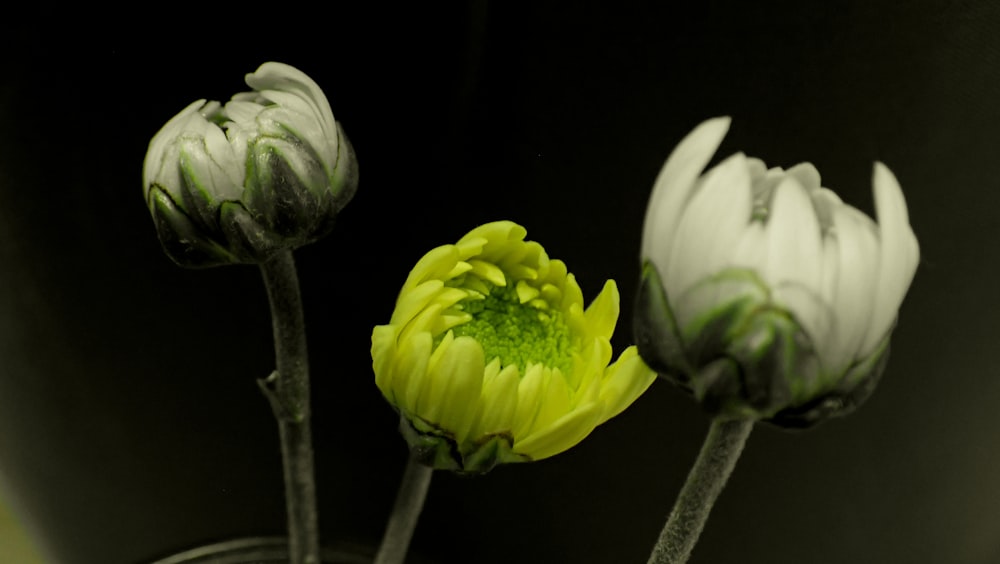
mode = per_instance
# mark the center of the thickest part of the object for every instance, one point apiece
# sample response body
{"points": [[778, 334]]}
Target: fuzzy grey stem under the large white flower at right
{"points": [[709, 474]]}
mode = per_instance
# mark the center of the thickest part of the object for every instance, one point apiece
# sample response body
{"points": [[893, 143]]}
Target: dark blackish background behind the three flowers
{"points": [[130, 423]]}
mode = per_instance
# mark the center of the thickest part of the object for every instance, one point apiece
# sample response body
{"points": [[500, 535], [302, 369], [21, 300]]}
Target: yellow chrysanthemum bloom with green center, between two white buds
{"points": [[490, 356]]}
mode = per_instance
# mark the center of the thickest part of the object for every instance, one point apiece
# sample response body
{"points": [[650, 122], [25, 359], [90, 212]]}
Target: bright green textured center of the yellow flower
{"points": [[518, 333]]}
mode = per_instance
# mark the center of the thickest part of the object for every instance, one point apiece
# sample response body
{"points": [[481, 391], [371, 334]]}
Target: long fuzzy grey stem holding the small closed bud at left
{"points": [[287, 389]]}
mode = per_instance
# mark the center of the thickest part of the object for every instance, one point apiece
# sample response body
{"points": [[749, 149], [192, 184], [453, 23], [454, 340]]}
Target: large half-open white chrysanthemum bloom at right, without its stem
{"points": [[763, 293]]}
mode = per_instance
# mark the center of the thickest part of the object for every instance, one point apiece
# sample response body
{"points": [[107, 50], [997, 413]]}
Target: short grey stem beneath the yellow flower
{"points": [[405, 513]]}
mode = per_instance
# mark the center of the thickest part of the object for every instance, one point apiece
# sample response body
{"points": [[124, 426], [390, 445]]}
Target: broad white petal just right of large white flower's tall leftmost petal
{"points": [[711, 226]]}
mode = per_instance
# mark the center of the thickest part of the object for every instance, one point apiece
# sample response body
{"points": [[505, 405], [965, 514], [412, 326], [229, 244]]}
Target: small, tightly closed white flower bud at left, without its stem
{"points": [[267, 172]]}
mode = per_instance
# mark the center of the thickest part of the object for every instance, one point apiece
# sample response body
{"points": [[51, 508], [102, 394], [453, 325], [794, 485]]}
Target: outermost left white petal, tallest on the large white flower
{"points": [[673, 186]]}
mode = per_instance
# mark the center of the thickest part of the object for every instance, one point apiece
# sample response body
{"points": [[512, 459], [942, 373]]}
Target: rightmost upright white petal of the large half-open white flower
{"points": [[899, 254]]}
